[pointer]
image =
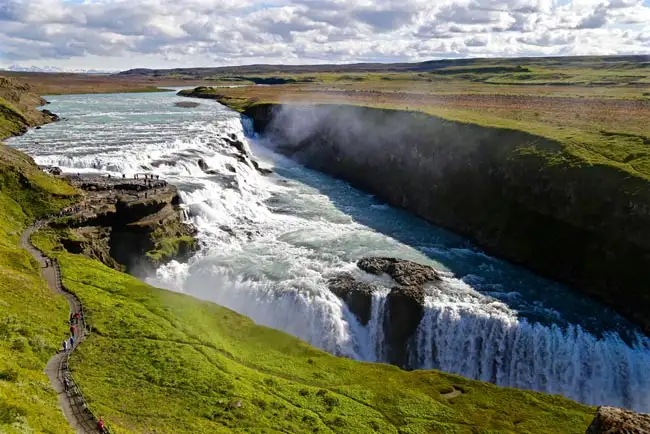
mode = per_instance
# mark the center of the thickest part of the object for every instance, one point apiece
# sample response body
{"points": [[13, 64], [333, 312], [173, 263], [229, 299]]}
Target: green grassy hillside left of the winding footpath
{"points": [[32, 318]]}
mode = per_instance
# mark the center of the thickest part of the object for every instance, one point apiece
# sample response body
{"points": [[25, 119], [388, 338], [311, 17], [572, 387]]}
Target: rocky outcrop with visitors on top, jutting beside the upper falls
{"points": [[132, 225]]}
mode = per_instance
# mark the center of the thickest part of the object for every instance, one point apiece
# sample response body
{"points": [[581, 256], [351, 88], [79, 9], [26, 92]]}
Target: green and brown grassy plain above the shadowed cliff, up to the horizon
{"points": [[595, 106]]}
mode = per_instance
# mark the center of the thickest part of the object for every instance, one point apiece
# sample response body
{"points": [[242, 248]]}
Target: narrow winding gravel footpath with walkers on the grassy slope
{"points": [[71, 401]]}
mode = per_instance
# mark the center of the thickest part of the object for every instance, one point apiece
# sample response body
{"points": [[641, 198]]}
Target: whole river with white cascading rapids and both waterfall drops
{"points": [[269, 243]]}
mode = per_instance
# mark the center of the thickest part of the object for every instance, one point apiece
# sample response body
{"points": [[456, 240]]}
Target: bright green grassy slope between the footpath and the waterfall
{"points": [[167, 362]]}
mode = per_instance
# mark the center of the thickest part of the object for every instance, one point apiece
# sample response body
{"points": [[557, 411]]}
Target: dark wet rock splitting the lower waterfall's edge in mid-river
{"points": [[404, 305]]}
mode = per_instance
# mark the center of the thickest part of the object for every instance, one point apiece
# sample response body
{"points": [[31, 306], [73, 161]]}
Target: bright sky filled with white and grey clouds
{"points": [[124, 34]]}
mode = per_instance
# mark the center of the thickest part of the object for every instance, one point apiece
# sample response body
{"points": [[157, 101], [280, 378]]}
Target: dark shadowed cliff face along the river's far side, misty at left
{"points": [[513, 193]]}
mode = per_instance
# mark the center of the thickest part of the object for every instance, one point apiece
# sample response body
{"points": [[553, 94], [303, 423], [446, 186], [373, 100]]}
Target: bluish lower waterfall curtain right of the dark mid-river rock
{"points": [[495, 346]]}
